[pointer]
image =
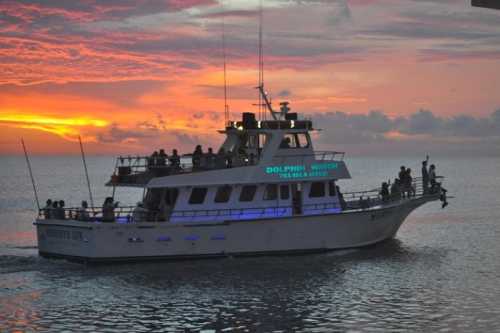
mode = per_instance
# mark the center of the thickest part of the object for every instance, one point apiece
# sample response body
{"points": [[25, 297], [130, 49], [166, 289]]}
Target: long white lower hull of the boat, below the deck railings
{"points": [[91, 242]]}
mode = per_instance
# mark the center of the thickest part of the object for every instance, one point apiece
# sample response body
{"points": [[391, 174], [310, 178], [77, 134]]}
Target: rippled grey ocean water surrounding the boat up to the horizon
{"points": [[440, 274]]}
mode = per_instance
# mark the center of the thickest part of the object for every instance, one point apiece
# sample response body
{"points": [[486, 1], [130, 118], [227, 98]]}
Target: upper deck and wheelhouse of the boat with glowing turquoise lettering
{"points": [[268, 150]]}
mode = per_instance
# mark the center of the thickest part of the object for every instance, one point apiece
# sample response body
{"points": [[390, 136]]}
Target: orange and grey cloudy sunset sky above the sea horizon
{"points": [[376, 76]]}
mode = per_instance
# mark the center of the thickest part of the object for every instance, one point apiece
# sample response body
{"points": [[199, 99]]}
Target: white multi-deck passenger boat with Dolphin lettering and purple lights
{"points": [[265, 191]]}
